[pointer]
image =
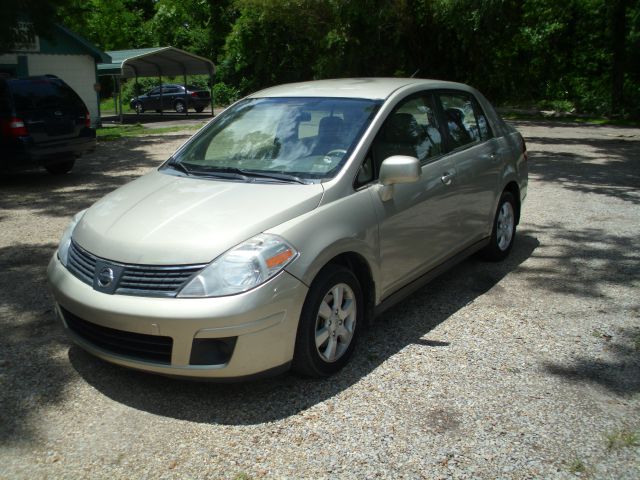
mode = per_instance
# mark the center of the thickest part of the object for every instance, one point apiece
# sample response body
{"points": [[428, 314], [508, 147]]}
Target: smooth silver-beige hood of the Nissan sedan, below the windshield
{"points": [[162, 219]]}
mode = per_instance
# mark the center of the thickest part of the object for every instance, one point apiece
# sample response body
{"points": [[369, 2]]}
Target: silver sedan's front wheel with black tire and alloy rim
{"points": [[327, 331]]}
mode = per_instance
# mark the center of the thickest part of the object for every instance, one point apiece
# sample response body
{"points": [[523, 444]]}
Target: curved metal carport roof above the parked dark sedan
{"points": [[153, 62]]}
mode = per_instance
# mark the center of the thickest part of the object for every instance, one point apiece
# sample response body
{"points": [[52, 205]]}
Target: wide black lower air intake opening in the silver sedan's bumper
{"points": [[136, 346]]}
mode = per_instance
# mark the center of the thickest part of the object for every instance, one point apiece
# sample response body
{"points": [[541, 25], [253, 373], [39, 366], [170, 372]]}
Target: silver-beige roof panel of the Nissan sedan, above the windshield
{"points": [[371, 88]]}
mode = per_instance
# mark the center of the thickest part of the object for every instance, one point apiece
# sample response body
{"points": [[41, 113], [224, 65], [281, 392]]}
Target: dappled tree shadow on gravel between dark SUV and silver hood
{"points": [[110, 166]]}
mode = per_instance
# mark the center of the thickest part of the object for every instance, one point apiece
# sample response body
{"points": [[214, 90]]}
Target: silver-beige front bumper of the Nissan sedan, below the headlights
{"points": [[259, 326]]}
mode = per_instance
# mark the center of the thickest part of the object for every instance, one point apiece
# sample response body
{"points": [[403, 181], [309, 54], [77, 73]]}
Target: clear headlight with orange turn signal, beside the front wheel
{"points": [[242, 268]]}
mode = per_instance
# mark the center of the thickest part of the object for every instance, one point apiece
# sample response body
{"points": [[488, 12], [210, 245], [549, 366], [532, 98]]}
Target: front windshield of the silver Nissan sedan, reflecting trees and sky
{"points": [[309, 138]]}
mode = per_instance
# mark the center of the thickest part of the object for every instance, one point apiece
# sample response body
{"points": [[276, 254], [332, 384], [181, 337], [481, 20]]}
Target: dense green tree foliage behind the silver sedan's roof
{"points": [[582, 54]]}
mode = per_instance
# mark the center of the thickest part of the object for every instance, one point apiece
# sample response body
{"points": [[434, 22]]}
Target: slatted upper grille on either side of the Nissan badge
{"points": [[144, 280]]}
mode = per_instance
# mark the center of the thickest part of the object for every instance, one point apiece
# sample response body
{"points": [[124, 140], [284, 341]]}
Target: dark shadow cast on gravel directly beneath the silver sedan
{"points": [[284, 396]]}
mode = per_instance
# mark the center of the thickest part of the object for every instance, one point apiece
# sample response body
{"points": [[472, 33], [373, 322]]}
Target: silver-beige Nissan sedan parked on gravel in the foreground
{"points": [[272, 237]]}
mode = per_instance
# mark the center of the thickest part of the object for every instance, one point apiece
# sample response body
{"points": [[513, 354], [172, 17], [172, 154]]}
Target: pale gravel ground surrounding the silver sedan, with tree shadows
{"points": [[525, 369]]}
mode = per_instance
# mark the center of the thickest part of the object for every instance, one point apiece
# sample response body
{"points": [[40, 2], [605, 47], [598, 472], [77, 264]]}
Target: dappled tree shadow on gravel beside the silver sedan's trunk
{"points": [[612, 167]]}
